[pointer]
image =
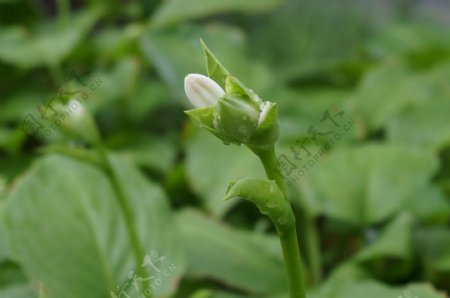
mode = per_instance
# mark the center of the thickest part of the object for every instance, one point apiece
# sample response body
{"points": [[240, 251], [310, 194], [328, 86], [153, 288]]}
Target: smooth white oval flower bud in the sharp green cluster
{"points": [[201, 90]]}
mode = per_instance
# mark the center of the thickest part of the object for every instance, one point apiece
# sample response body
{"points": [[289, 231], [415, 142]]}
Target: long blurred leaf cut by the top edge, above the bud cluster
{"points": [[176, 11]]}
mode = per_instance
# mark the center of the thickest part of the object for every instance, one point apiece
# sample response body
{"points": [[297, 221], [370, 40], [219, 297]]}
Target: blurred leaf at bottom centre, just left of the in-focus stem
{"points": [[241, 260]]}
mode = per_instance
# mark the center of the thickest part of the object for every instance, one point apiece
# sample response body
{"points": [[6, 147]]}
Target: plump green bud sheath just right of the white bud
{"points": [[236, 118]]}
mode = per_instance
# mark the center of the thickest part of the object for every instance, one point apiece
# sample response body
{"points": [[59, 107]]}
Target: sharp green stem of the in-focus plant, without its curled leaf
{"points": [[288, 238]]}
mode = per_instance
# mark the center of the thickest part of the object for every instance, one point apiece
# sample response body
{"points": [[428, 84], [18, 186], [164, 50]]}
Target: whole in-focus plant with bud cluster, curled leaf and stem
{"points": [[235, 114]]}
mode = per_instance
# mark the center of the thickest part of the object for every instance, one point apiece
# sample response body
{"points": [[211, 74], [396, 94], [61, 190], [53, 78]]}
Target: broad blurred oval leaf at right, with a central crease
{"points": [[366, 184]]}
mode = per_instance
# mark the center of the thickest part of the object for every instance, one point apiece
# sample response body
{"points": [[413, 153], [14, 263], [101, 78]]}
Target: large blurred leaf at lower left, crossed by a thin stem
{"points": [[67, 229]]}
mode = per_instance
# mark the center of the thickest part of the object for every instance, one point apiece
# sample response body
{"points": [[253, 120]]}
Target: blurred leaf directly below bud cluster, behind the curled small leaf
{"points": [[211, 166]]}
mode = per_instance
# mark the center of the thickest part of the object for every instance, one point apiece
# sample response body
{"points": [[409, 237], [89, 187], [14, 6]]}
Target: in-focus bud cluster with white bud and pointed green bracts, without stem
{"points": [[228, 109]]}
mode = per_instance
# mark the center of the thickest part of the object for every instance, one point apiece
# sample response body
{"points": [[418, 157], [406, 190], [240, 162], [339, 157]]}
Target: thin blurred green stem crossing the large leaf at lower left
{"points": [[136, 246]]}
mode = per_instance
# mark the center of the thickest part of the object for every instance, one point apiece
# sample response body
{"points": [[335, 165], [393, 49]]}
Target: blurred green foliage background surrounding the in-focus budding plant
{"points": [[378, 196]]}
